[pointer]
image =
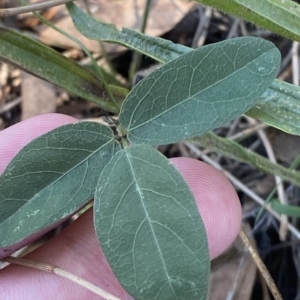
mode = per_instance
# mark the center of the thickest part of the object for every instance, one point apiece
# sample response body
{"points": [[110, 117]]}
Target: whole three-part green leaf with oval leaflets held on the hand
{"points": [[145, 216]]}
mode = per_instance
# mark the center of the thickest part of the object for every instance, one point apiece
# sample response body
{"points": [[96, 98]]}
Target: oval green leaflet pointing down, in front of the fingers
{"points": [[149, 227]]}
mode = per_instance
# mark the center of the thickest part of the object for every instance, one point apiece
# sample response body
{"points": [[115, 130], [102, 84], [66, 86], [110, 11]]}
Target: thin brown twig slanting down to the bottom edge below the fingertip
{"points": [[261, 266]]}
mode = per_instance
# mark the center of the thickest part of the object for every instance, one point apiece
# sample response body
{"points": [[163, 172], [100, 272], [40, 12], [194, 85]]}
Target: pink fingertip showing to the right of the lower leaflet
{"points": [[217, 202]]}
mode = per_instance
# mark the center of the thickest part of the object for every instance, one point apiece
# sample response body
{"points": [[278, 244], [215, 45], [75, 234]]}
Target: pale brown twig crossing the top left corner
{"points": [[5, 12]]}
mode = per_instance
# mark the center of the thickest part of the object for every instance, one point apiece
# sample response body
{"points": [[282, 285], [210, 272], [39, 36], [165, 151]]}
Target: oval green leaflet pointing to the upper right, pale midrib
{"points": [[199, 91]]}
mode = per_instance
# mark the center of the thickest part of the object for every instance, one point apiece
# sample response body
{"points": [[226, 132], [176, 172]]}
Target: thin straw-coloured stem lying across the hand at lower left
{"points": [[61, 272]]}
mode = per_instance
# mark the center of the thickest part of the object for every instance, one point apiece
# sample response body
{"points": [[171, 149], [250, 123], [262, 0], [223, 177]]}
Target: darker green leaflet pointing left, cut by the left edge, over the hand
{"points": [[50, 179]]}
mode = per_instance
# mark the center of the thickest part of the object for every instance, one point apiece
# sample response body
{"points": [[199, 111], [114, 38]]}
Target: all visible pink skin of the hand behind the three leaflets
{"points": [[76, 249]]}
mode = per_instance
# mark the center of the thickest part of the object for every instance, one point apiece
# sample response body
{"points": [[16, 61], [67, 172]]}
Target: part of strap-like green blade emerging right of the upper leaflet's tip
{"points": [[279, 106]]}
